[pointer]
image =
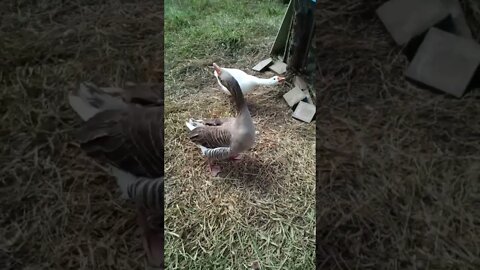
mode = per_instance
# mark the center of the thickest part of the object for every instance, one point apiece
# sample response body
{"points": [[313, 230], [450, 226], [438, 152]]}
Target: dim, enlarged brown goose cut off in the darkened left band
{"points": [[124, 127]]}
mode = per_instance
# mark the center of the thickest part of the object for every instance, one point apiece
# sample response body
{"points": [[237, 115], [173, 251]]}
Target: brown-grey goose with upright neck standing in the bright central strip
{"points": [[227, 137]]}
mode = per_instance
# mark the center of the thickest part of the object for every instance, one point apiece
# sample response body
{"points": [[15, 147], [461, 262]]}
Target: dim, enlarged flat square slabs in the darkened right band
{"points": [[442, 51]]}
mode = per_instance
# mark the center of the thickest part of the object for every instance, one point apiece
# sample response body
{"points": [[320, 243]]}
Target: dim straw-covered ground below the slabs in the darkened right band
{"points": [[398, 166]]}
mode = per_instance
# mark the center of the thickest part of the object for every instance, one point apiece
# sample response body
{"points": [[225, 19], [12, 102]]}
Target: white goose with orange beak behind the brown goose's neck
{"points": [[247, 82]]}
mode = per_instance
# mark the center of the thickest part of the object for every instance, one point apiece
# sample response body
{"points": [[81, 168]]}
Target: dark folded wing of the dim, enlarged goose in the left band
{"points": [[130, 139]]}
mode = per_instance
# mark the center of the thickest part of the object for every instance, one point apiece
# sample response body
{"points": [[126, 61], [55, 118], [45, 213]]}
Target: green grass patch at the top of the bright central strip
{"points": [[225, 31]]}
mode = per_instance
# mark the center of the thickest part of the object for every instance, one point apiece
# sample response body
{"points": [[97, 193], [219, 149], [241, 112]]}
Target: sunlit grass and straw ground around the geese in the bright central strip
{"points": [[263, 208]]}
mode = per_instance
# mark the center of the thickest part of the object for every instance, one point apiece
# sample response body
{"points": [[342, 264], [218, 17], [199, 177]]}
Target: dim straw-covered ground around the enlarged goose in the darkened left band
{"points": [[58, 209]]}
